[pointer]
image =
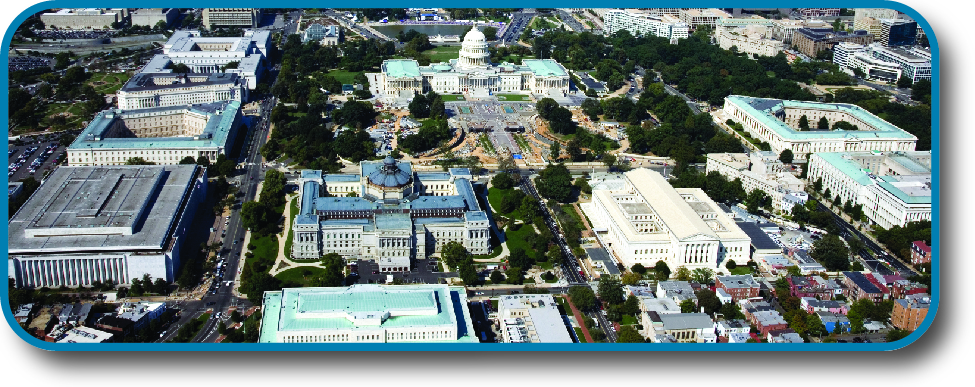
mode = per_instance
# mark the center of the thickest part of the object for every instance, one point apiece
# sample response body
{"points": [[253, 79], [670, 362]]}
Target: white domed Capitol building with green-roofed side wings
{"points": [[473, 72]]}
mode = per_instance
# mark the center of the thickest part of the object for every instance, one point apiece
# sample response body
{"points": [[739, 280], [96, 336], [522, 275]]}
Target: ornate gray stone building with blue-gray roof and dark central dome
{"points": [[395, 214]]}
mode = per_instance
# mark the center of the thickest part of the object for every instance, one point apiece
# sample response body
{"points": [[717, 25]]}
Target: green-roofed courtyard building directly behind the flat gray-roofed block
{"points": [[163, 135]]}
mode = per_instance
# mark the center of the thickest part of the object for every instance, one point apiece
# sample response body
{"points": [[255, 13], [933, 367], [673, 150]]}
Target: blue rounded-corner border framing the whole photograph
{"points": [[936, 196]]}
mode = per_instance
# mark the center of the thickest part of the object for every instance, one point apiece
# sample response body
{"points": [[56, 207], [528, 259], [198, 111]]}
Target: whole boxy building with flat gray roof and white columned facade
{"points": [[104, 223]]}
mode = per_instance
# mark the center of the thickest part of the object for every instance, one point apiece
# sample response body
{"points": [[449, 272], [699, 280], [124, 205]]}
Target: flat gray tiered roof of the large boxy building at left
{"points": [[101, 208]]}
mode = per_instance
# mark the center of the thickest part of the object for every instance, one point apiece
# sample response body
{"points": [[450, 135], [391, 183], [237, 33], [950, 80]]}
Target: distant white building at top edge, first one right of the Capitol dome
{"points": [[645, 23]]}
